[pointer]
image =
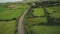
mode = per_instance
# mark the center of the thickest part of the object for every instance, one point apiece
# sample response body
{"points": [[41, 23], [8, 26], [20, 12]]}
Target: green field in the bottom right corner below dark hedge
{"points": [[46, 29]]}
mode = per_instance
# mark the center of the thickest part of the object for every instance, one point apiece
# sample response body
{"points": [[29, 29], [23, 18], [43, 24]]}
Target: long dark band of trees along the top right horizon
{"points": [[44, 3]]}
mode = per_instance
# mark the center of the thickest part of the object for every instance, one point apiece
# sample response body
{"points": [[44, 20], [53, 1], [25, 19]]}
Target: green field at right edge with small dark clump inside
{"points": [[55, 14]]}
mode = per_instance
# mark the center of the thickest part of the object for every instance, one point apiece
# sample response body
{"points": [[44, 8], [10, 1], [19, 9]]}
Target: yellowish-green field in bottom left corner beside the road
{"points": [[7, 27]]}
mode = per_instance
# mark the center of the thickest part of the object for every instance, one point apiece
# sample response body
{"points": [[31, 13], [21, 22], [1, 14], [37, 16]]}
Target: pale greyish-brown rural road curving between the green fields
{"points": [[20, 23]]}
